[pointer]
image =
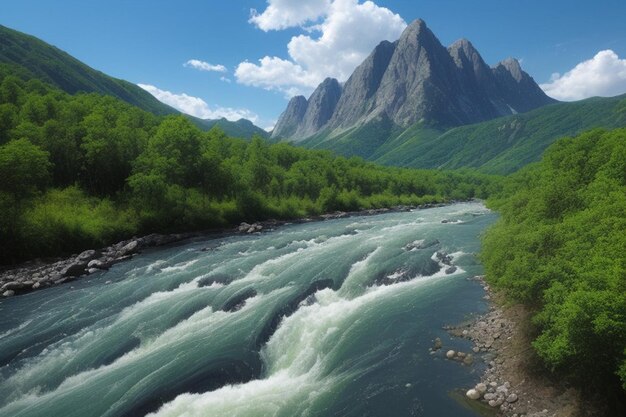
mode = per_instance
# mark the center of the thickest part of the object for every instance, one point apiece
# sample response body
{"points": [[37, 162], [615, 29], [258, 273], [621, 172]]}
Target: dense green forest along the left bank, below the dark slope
{"points": [[80, 171]]}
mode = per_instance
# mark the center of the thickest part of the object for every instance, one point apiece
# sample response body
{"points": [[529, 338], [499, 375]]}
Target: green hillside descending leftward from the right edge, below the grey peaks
{"points": [[506, 144]]}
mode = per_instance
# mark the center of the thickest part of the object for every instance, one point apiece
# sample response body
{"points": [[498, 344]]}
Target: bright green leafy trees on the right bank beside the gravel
{"points": [[560, 247]]}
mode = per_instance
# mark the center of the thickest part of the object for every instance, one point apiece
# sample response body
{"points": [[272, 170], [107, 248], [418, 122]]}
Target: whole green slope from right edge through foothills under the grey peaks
{"points": [[497, 146]]}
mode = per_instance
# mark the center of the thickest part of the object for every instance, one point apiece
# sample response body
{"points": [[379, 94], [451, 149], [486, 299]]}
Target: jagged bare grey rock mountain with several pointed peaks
{"points": [[414, 79]]}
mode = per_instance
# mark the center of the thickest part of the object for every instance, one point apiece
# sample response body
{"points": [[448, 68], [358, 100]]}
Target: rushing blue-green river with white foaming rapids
{"points": [[330, 318]]}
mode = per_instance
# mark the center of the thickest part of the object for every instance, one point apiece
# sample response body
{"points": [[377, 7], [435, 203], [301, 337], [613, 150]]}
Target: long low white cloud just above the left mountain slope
{"points": [[197, 107]]}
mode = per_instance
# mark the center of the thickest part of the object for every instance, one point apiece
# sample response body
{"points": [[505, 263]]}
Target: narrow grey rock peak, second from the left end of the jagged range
{"points": [[321, 106]]}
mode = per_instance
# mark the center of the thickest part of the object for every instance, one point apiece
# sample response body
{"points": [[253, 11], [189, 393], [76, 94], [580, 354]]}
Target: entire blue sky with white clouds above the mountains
{"points": [[246, 58]]}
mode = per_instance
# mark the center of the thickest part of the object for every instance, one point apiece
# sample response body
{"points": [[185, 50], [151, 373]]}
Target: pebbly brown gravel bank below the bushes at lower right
{"points": [[514, 383]]}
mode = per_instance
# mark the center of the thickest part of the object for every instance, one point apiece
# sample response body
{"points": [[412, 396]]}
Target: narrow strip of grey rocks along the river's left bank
{"points": [[39, 274]]}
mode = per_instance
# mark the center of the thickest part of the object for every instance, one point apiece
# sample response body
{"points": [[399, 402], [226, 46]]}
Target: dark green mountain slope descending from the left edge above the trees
{"points": [[58, 68]]}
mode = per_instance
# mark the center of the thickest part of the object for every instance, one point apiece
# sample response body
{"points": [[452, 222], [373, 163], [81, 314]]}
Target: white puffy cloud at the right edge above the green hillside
{"points": [[603, 75]]}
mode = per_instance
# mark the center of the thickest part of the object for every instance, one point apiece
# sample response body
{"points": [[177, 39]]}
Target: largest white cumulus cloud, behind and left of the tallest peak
{"points": [[340, 35]]}
